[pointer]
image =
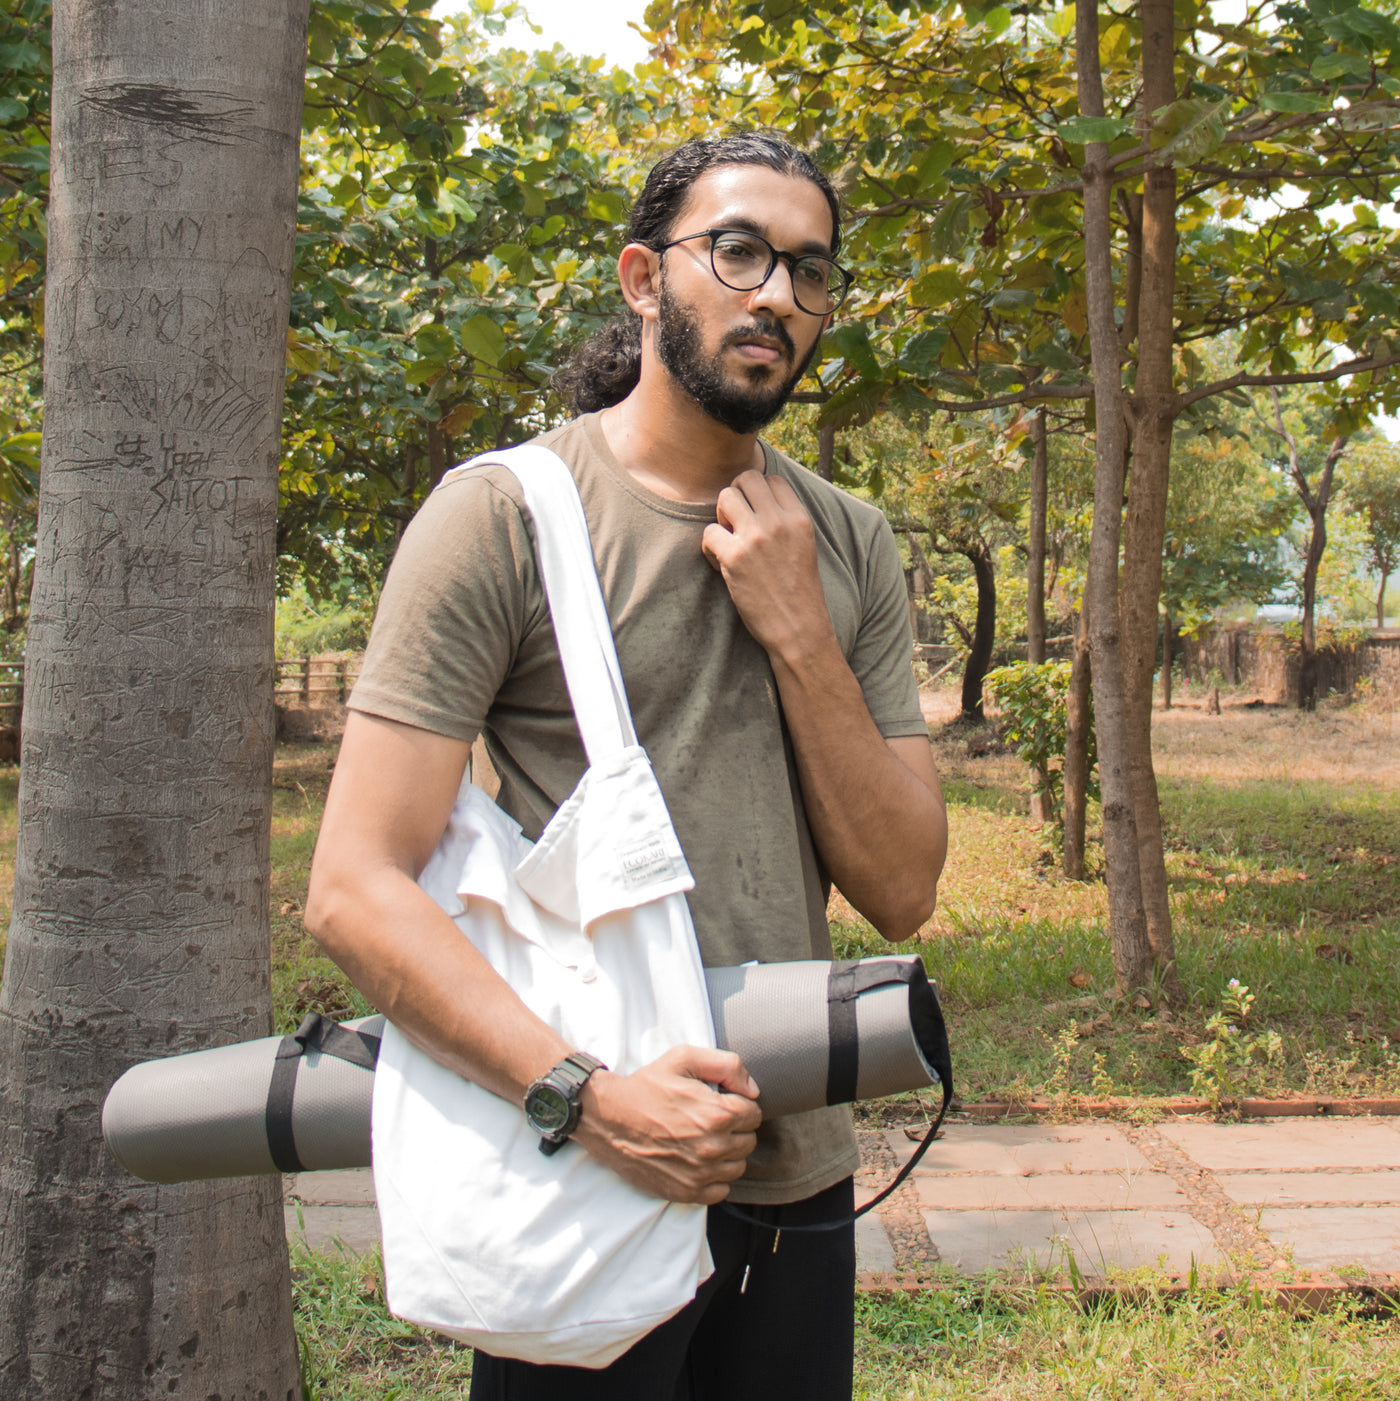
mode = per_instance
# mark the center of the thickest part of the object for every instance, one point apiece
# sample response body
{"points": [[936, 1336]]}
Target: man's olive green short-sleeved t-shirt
{"points": [[463, 644]]}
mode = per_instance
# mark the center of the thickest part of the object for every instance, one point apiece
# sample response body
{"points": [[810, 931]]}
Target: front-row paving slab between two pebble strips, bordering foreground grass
{"points": [[1101, 1242]]}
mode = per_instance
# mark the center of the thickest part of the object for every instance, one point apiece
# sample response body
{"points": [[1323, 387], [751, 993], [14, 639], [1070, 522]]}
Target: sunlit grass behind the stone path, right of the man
{"points": [[1284, 874]]}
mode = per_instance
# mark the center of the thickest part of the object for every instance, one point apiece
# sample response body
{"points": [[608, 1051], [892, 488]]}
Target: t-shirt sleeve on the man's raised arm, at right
{"points": [[884, 658]]}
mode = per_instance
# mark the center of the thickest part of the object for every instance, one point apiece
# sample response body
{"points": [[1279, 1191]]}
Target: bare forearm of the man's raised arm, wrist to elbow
{"points": [[878, 822]]}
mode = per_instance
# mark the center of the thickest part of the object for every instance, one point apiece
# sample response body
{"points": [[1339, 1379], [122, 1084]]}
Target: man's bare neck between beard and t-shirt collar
{"points": [[673, 448]]}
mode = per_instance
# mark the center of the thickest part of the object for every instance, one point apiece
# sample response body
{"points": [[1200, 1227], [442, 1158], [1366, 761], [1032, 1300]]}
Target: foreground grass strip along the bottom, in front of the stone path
{"points": [[945, 1343]]}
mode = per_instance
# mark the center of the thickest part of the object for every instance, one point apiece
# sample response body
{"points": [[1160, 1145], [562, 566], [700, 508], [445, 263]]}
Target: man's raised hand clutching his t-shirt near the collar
{"points": [[766, 548]]}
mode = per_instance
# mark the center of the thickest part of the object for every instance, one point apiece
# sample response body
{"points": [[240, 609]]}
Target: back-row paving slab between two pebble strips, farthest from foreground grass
{"points": [[1021, 1150]]}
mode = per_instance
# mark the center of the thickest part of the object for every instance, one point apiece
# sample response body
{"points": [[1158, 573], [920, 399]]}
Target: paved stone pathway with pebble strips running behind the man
{"points": [[1282, 1196]]}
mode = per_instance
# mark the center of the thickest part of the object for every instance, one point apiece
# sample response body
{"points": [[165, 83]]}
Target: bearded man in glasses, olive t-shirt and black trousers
{"points": [[763, 631]]}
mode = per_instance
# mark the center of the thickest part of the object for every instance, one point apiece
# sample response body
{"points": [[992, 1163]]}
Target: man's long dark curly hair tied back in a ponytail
{"points": [[606, 368]]}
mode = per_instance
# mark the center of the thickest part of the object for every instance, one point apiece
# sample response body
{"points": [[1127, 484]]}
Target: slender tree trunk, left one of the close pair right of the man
{"points": [[1127, 923]]}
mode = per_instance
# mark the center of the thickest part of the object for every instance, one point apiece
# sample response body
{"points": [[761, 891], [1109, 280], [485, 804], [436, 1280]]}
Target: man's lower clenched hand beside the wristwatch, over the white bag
{"points": [[680, 1129]]}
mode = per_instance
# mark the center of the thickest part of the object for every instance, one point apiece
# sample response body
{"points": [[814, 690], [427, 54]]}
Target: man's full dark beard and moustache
{"points": [[742, 404]]}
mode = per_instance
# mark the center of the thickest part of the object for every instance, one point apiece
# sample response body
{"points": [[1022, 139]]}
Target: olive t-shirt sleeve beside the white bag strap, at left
{"points": [[453, 612]]}
